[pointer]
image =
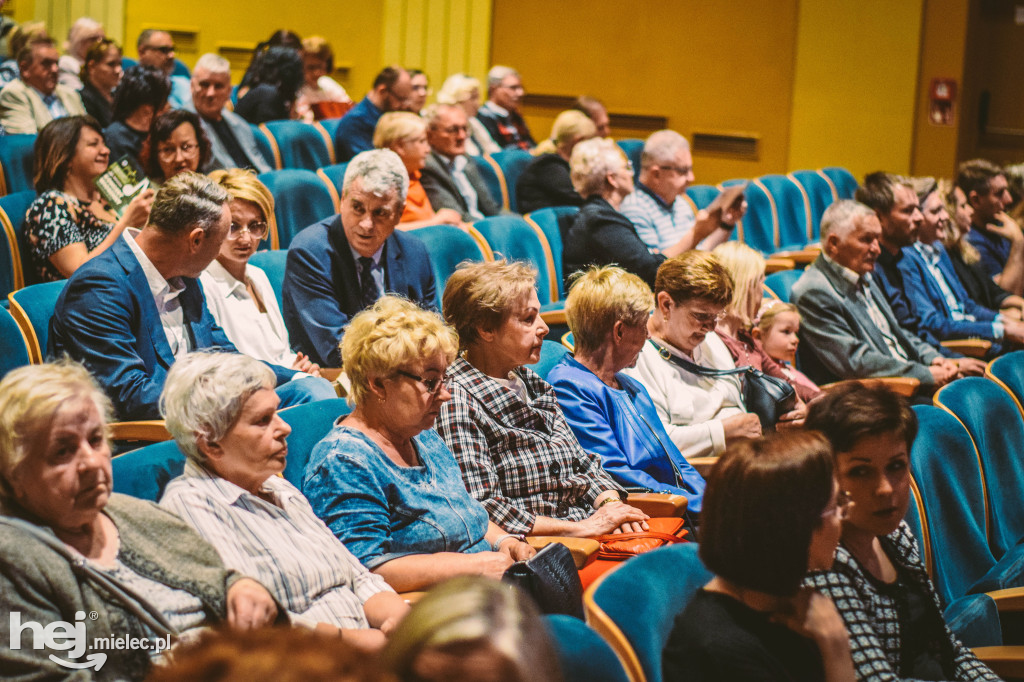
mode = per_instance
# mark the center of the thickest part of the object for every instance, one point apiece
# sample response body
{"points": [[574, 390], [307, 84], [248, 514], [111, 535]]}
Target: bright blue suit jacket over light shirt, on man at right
{"points": [[930, 306]]}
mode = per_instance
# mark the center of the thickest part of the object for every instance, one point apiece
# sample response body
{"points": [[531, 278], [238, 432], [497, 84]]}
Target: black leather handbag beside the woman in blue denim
{"points": [[550, 577]]}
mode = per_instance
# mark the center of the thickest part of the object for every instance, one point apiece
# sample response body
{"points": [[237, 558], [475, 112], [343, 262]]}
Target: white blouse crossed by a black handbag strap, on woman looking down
{"points": [[693, 407]]}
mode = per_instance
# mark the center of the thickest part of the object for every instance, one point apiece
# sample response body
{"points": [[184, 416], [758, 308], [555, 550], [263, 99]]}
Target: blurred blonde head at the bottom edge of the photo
{"points": [[474, 630]]}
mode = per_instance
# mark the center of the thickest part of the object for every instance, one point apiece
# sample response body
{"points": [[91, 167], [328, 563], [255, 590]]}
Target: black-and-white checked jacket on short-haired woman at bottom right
{"points": [[873, 619]]}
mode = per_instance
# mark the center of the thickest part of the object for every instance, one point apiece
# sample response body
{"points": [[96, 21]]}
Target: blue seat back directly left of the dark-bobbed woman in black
{"points": [[645, 595]]}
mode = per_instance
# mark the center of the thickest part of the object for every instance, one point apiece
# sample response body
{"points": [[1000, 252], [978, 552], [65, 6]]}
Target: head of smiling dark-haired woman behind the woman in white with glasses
{"points": [[178, 144]]}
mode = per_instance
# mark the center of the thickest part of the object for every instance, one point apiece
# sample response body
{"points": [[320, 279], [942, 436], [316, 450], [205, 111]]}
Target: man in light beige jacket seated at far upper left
{"points": [[35, 99]]}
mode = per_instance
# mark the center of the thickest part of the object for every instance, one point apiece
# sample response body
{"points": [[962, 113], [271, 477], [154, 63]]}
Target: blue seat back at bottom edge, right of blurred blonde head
{"points": [[583, 655]]}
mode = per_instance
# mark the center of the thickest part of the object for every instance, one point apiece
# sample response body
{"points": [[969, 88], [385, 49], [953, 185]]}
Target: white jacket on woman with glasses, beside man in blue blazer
{"points": [[260, 335]]}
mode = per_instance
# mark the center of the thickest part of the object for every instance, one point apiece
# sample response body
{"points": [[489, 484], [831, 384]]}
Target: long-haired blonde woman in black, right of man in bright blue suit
{"points": [[967, 261]]}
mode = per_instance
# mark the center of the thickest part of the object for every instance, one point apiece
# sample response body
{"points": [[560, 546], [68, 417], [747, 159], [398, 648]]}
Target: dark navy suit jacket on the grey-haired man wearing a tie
{"points": [[322, 285]]}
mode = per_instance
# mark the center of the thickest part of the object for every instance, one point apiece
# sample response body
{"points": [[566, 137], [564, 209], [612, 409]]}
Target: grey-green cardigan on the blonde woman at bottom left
{"points": [[40, 585]]}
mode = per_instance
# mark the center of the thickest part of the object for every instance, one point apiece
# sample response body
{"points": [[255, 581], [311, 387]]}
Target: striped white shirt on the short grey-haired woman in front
{"points": [[283, 545]]}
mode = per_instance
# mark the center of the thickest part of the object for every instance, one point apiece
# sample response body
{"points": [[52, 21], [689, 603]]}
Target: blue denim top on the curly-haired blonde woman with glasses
{"points": [[382, 511]]}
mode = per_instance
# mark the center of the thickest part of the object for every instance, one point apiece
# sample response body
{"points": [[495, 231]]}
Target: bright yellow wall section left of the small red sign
{"points": [[856, 84]]}
